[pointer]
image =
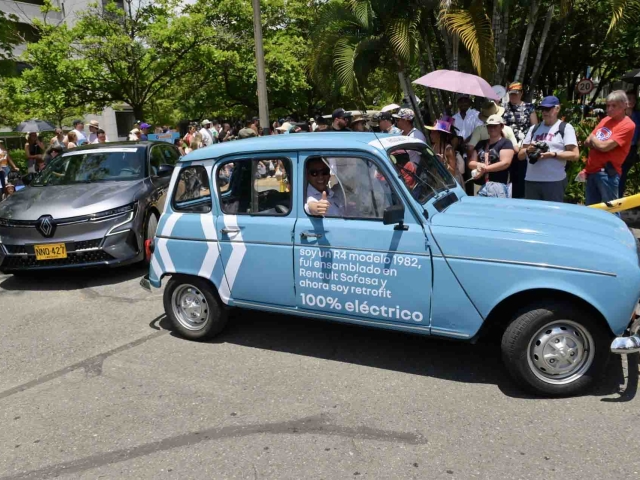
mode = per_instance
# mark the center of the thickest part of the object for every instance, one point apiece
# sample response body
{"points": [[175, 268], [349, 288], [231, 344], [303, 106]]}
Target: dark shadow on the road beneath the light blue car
{"points": [[385, 349]]}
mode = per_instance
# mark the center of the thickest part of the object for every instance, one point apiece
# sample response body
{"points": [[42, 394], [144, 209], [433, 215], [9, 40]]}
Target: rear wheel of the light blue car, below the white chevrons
{"points": [[211, 314]]}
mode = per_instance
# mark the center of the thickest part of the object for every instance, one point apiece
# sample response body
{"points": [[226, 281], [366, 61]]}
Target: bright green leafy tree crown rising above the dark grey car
{"points": [[138, 53]]}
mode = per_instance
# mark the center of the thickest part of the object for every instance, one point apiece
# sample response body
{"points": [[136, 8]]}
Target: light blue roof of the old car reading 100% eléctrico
{"points": [[297, 141]]}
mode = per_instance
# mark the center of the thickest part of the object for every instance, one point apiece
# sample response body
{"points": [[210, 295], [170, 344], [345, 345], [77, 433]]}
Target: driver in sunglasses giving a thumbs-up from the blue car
{"points": [[321, 200]]}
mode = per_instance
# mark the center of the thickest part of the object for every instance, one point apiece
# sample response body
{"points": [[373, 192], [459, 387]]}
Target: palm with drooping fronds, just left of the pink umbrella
{"points": [[354, 37]]}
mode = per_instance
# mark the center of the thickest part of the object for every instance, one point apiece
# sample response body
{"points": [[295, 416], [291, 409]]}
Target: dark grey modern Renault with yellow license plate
{"points": [[91, 206]]}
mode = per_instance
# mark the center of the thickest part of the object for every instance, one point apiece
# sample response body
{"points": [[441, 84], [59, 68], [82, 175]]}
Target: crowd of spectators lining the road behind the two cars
{"points": [[496, 151]]}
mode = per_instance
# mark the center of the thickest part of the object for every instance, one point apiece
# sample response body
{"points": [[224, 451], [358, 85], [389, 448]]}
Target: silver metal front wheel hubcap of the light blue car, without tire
{"points": [[561, 352]]}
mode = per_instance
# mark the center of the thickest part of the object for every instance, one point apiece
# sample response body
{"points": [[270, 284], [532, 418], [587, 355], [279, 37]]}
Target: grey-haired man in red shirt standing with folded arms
{"points": [[609, 145]]}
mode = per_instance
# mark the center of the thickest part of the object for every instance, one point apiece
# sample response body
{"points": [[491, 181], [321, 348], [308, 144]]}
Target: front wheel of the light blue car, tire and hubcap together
{"points": [[557, 329]]}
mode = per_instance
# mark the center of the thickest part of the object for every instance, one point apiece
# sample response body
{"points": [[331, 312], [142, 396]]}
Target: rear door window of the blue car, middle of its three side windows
{"points": [[255, 187]]}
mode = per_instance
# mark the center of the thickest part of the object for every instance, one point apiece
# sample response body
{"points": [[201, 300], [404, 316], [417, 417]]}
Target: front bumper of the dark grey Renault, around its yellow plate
{"points": [[88, 245]]}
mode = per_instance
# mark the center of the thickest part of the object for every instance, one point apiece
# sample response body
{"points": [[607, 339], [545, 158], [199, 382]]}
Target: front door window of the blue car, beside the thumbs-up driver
{"points": [[355, 187]]}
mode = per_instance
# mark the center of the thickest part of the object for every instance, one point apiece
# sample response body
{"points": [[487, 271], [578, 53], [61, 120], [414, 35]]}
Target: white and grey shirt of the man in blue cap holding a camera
{"points": [[550, 169]]}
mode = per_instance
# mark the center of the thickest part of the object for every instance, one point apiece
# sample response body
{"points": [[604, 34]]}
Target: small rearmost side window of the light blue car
{"points": [[192, 192]]}
